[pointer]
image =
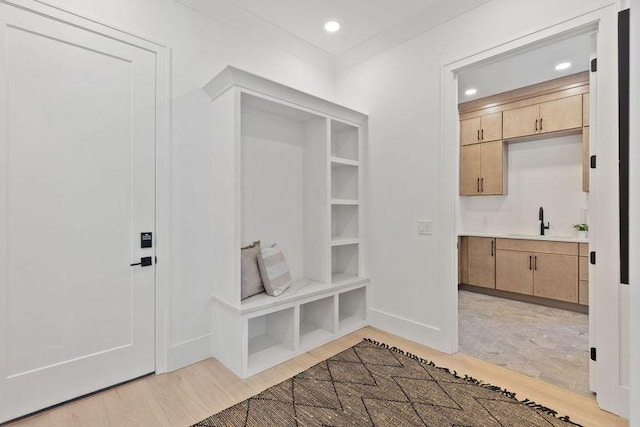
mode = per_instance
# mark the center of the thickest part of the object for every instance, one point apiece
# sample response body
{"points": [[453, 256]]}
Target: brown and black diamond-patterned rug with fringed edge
{"points": [[372, 384]]}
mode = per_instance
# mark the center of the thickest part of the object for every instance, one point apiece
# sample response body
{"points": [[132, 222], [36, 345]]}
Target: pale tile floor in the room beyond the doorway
{"points": [[542, 342]]}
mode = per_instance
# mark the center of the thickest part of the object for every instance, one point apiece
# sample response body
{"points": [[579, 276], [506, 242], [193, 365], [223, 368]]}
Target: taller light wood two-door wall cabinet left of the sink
{"points": [[482, 169]]}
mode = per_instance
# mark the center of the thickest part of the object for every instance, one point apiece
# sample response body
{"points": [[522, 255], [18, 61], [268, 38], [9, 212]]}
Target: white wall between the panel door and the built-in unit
{"points": [[200, 48]]}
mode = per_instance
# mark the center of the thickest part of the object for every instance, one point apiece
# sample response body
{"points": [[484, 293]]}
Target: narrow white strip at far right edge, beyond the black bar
{"points": [[634, 214]]}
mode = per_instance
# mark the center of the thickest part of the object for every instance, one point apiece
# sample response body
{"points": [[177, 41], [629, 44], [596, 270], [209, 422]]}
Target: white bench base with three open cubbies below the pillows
{"points": [[264, 331]]}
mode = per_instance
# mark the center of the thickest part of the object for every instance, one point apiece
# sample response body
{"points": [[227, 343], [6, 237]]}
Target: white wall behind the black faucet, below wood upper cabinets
{"points": [[545, 173]]}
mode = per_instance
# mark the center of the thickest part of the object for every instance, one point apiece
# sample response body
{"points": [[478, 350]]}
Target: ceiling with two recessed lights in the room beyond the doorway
{"points": [[525, 68]]}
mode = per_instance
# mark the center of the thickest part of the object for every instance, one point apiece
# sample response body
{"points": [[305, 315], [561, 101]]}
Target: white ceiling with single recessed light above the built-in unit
{"points": [[362, 21]]}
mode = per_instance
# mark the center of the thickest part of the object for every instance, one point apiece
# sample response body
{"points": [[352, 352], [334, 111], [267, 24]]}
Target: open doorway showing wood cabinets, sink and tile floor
{"points": [[523, 207]]}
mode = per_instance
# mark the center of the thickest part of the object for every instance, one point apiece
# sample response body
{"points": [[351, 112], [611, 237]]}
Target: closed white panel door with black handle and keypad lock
{"points": [[77, 187]]}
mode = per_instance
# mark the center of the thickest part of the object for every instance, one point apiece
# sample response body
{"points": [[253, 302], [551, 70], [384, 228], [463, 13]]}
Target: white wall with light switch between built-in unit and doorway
{"points": [[400, 89]]}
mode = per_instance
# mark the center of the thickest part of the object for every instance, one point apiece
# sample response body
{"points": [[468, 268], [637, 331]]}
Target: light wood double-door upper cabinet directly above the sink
{"points": [[551, 116]]}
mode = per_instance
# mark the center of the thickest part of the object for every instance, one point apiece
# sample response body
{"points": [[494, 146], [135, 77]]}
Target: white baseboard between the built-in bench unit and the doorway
{"points": [[426, 335]]}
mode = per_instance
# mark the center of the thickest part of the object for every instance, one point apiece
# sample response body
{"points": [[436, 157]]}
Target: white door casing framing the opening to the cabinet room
{"points": [[612, 395]]}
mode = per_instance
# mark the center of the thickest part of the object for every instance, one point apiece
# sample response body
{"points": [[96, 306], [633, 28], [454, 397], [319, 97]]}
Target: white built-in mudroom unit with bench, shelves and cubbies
{"points": [[287, 168]]}
